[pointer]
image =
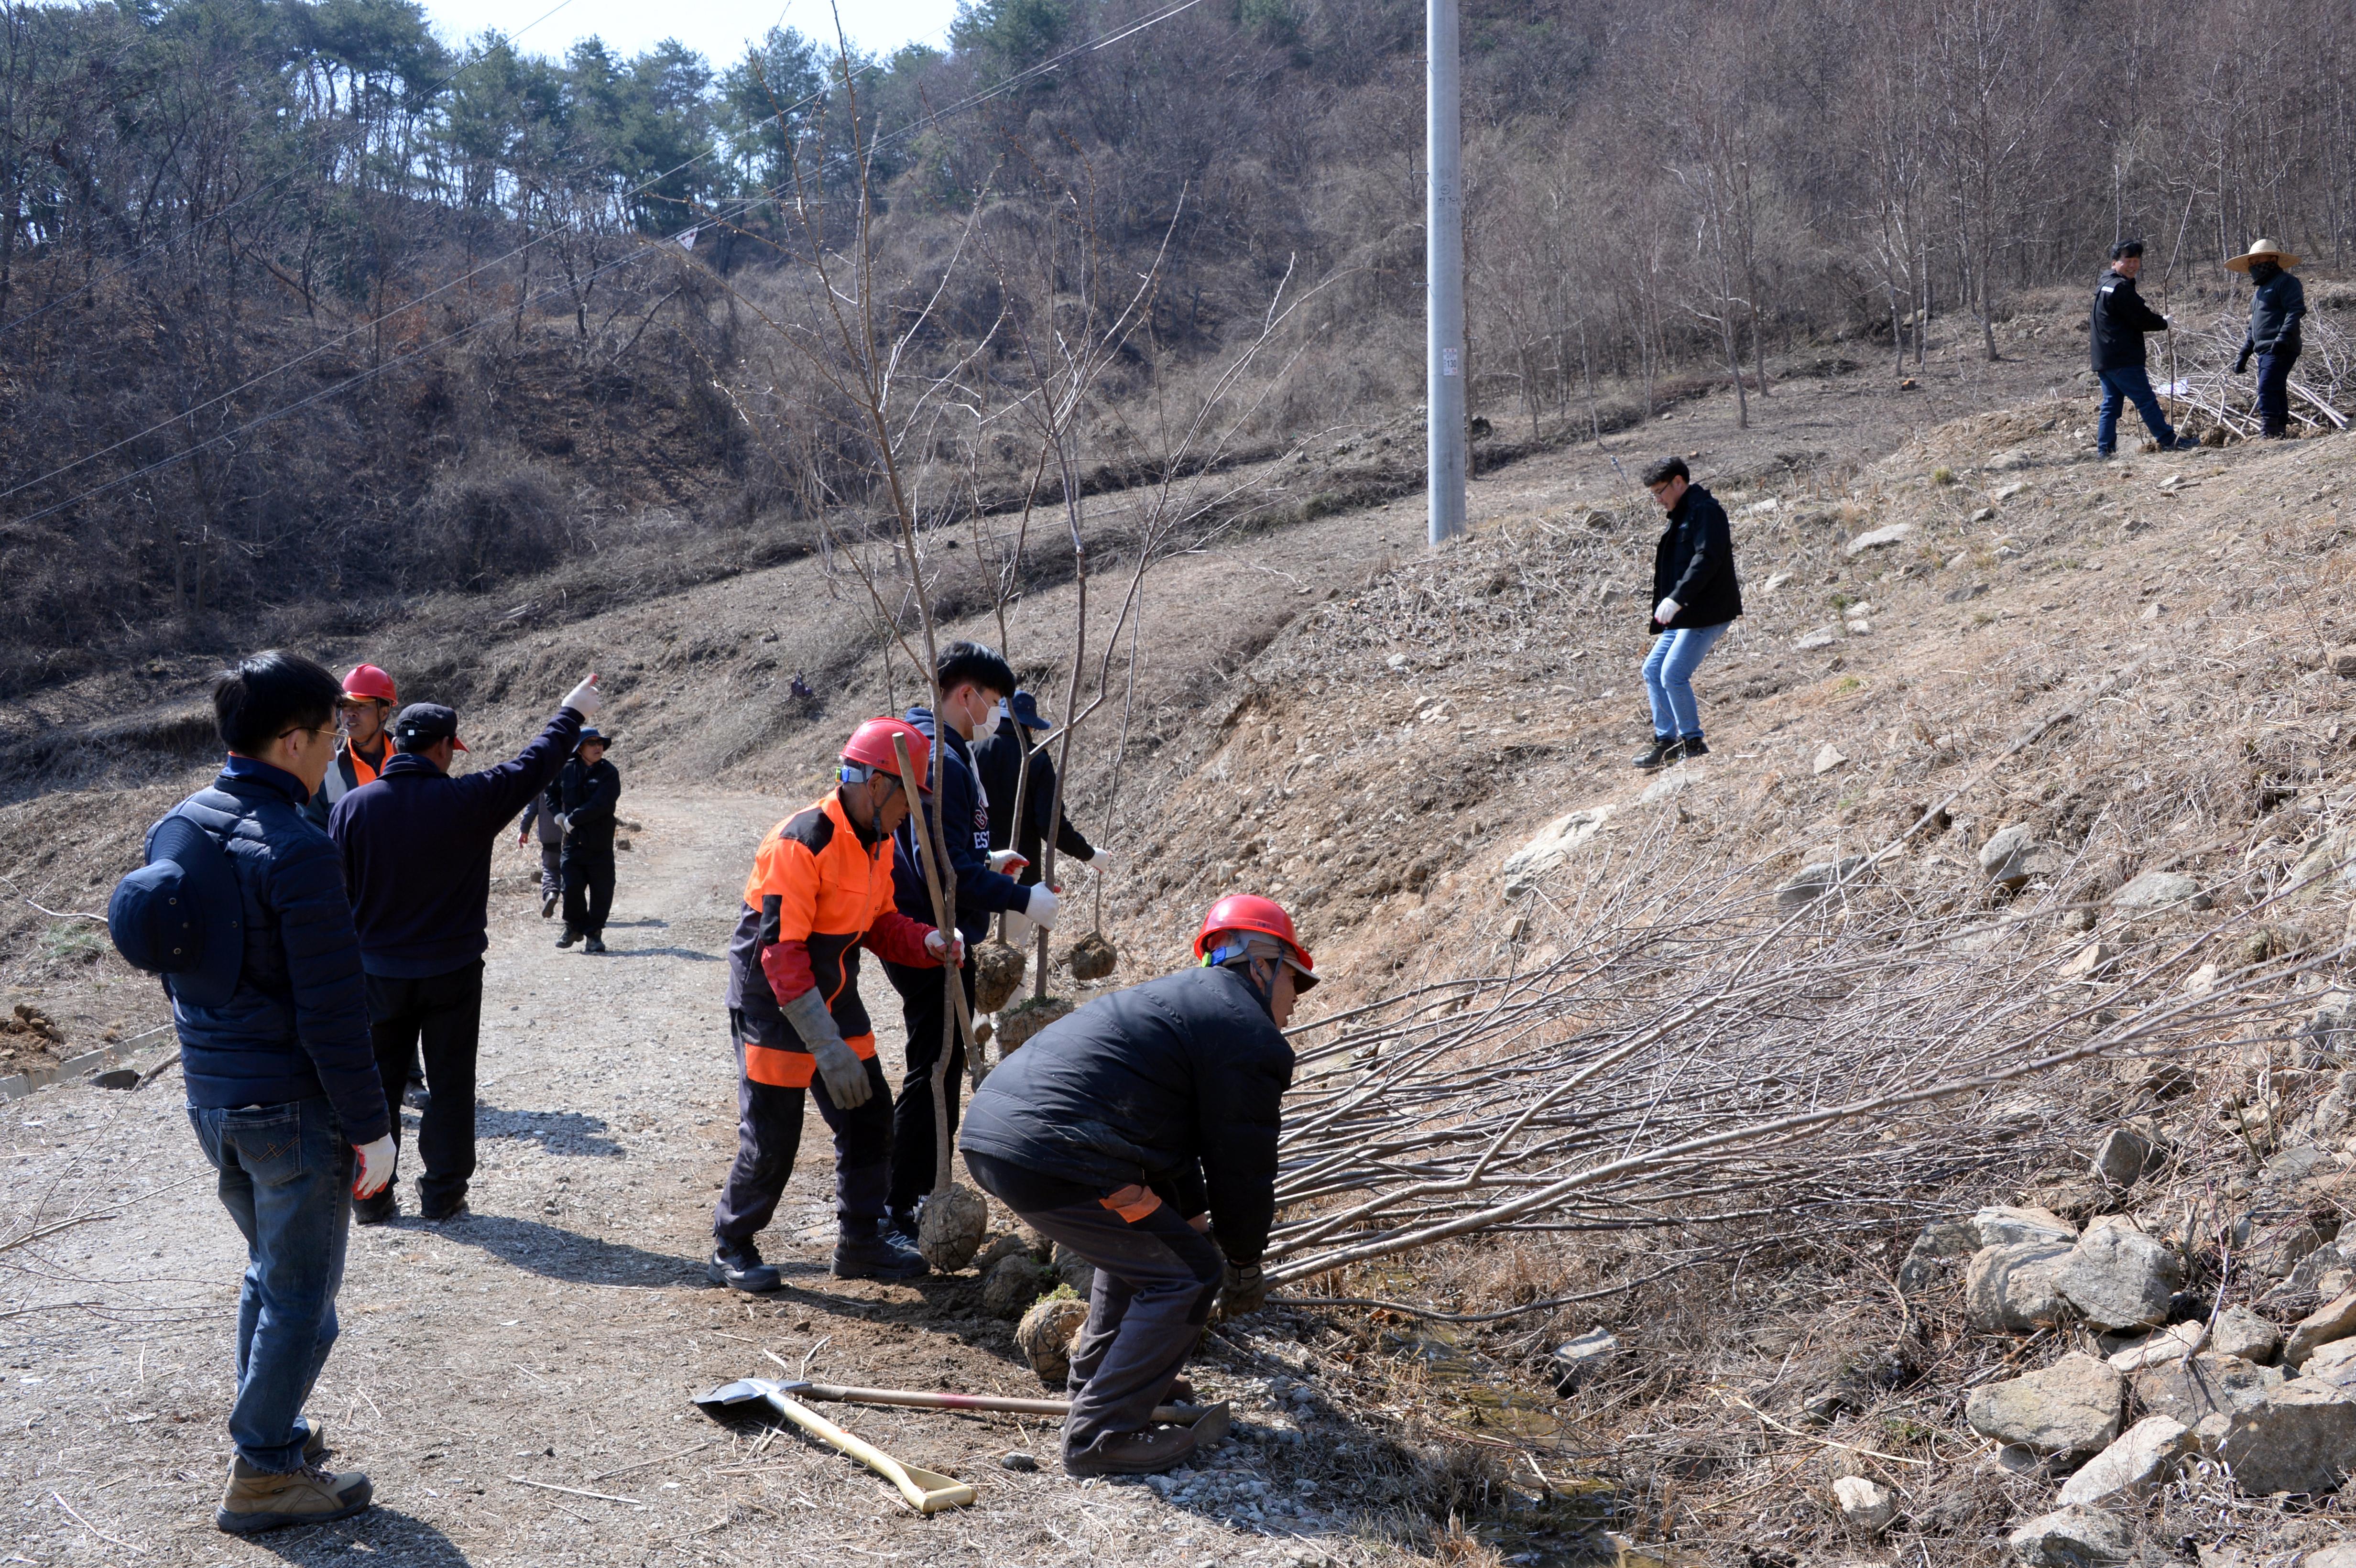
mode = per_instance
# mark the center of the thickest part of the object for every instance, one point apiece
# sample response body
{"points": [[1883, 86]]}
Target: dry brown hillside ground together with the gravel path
{"points": [[1959, 625]]}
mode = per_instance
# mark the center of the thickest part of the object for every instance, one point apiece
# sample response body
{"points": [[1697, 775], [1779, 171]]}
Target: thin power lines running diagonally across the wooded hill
{"points": [[743, 206]]}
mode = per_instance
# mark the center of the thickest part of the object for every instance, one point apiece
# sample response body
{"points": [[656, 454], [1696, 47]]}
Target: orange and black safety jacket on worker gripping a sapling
{"points": [[819, 893]]}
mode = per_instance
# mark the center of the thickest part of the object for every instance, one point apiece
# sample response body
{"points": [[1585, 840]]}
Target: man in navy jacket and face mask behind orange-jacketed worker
{"points": [[972, 682]]}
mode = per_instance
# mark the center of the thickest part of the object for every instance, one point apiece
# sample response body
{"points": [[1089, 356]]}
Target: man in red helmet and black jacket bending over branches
{"points": [[1141, 1134]]}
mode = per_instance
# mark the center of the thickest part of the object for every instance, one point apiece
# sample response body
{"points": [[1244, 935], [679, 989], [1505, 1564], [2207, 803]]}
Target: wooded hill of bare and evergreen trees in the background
{"points": [[307, 312]]}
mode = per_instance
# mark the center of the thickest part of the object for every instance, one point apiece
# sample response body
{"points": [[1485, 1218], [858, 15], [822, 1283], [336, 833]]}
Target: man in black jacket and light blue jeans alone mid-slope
{"points": [[1695, 602]]}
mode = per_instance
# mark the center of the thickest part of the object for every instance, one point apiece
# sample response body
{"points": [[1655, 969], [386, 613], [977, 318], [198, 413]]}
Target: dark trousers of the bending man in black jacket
{"points": [[1156, 1282]]}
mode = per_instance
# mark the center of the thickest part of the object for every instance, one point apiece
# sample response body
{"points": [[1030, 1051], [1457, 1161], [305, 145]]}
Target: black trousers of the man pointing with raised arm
{"points": [[439, 1018]]}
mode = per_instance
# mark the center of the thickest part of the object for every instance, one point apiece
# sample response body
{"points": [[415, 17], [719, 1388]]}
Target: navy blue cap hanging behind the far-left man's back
{"points": [[183, 915]]}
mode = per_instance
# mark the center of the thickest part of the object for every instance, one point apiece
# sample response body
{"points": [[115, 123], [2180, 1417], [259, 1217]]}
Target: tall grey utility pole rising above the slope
{"points": [[1443, 277]]}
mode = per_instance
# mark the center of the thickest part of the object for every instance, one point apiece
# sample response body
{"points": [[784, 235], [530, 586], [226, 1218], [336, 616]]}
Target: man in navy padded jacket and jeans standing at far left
{"points": [[282, 1084]]}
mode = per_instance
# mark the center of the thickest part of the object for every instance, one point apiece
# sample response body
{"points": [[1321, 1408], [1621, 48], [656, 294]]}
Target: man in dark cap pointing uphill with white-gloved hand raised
{"points": [[416, 851]]}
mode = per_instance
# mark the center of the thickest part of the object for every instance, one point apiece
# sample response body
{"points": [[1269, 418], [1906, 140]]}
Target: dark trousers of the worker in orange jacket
{"points": [[769, 1138]]}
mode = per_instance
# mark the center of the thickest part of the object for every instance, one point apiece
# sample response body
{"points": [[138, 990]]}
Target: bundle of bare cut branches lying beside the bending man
{"points": [[1709, 1070]]}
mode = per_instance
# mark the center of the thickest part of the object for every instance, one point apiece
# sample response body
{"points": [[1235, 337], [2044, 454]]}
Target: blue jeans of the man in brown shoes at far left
{"points": [[286, 1181]]}
